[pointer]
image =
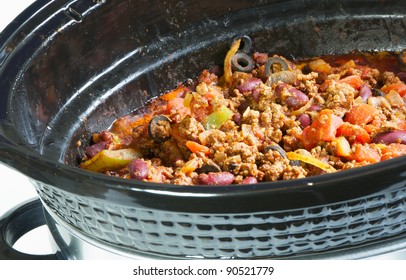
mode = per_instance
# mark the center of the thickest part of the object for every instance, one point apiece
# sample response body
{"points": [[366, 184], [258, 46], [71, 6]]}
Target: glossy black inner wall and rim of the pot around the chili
{"points": [[69, 68]]}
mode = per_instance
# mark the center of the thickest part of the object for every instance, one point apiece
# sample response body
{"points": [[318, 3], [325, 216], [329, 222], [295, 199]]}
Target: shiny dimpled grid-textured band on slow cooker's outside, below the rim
{"points": [[250, 235]]}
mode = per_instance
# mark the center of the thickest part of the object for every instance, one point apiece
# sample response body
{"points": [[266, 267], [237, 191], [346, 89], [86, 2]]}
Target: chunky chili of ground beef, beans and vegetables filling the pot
{"points": [[231, 126]]}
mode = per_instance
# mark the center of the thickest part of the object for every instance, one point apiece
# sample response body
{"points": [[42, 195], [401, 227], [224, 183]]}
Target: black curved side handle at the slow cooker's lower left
{"points": [[17, 222]]}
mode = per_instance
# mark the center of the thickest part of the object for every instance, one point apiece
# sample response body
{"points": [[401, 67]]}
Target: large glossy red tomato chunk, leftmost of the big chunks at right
{"points": [[323, 128]]}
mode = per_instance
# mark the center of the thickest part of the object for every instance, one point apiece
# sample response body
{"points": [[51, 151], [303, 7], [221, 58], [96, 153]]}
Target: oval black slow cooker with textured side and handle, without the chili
{"points": [[70, 67]]}
